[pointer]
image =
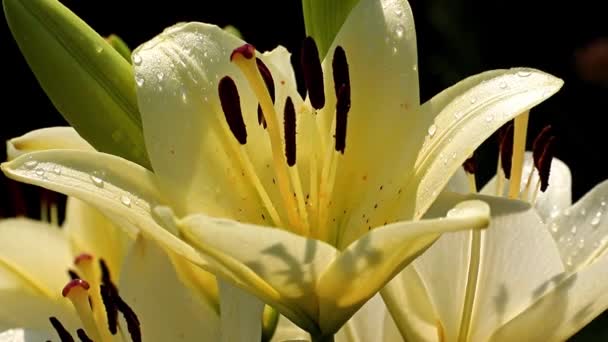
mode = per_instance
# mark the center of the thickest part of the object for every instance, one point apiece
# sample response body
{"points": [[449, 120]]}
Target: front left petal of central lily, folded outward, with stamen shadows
{"points": [[279, 267]]}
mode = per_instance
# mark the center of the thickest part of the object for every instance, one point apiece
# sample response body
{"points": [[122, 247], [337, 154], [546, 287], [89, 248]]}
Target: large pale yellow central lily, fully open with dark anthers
{"points": [[345, 174]]}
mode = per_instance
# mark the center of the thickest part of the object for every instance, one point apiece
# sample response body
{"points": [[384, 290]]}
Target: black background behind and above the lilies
{"points": [[456, 38]]}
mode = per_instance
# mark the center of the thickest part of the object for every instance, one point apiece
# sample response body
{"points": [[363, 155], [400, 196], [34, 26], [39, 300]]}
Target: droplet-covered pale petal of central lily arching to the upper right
{"points": [[469, 120]]}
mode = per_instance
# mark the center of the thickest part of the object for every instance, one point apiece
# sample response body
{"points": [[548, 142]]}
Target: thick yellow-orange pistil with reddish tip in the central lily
{"points": [[250, 70]]}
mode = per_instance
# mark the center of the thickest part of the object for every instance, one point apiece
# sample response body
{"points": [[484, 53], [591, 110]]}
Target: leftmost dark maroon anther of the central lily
{"points": [[231, 105]]}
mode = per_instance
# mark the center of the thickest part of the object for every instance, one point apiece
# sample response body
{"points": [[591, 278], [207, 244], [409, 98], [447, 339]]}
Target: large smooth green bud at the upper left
{"points": [[89, 83]]}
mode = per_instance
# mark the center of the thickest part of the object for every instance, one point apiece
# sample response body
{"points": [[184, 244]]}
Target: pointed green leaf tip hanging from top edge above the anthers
{"points": [[323, 19]]}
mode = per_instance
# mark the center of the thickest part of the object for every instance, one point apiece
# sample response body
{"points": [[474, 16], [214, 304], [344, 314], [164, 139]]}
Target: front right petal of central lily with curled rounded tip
{"points": [[369, 263]]}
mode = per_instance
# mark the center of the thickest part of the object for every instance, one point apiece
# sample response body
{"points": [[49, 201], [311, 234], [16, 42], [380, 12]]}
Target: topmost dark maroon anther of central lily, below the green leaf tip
{"points": [[313, 73]]}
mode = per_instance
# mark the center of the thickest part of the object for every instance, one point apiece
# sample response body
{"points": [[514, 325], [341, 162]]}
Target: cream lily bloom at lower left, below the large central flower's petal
{"points": [[121, 289]]}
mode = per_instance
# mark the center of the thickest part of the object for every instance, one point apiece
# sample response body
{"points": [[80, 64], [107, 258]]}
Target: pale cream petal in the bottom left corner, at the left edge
{"points": [[34, 260]]}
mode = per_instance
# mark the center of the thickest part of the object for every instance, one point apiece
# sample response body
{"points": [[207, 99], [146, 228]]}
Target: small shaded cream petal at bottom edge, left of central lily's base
{"points": [[241, 314]]}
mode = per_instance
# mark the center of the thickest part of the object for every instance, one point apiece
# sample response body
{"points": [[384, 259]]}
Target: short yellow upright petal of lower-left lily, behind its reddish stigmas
{"points": [[89, 231]]}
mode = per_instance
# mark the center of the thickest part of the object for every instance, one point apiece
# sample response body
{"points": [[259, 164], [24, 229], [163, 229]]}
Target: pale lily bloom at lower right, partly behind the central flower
{"points": [[536, 275]]}
